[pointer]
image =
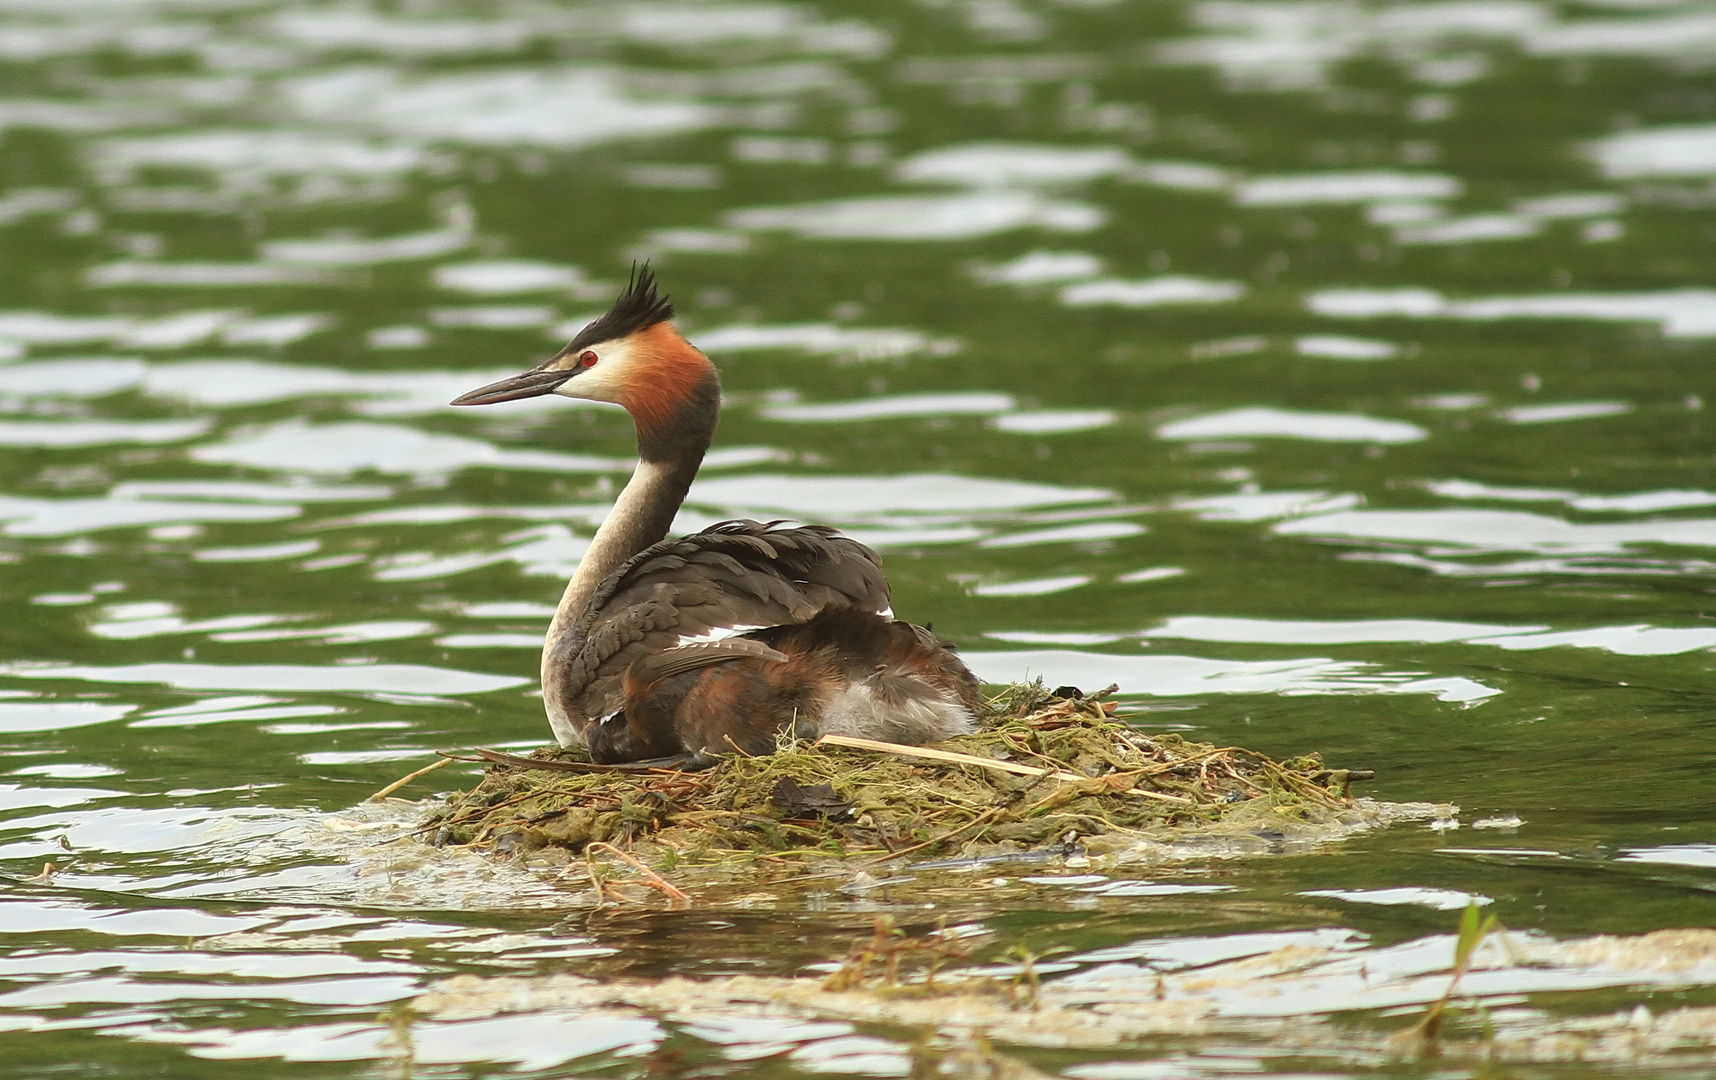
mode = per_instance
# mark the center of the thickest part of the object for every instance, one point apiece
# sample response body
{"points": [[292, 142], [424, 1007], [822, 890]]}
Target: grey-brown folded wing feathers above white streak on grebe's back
{"points": [[734, 574]]}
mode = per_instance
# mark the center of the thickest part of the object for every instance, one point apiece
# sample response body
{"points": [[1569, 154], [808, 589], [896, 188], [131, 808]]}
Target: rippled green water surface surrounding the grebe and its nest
{"points": [[1329, 375]]}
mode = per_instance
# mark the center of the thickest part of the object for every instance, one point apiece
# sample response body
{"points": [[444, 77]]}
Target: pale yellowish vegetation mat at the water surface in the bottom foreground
{"points": [[1240, 998]]}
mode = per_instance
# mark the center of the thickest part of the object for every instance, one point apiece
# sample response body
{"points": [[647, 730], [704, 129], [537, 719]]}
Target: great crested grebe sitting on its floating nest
{"points": [[684, 650]]}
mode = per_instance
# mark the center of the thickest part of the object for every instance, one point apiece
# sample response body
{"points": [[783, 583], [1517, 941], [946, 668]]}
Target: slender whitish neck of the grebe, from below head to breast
{"points": [[641, 518]]}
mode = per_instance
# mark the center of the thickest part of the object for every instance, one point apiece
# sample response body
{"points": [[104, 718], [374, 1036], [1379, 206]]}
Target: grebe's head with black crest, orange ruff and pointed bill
{"points": [[631, 356]]}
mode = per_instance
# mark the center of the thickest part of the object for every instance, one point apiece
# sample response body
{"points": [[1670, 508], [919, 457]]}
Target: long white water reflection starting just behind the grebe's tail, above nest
{"points": [[1192, 676]]}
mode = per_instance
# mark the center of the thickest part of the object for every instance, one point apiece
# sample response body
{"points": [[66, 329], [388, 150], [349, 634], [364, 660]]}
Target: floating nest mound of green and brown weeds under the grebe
{"points": [[1051, 772]]}
